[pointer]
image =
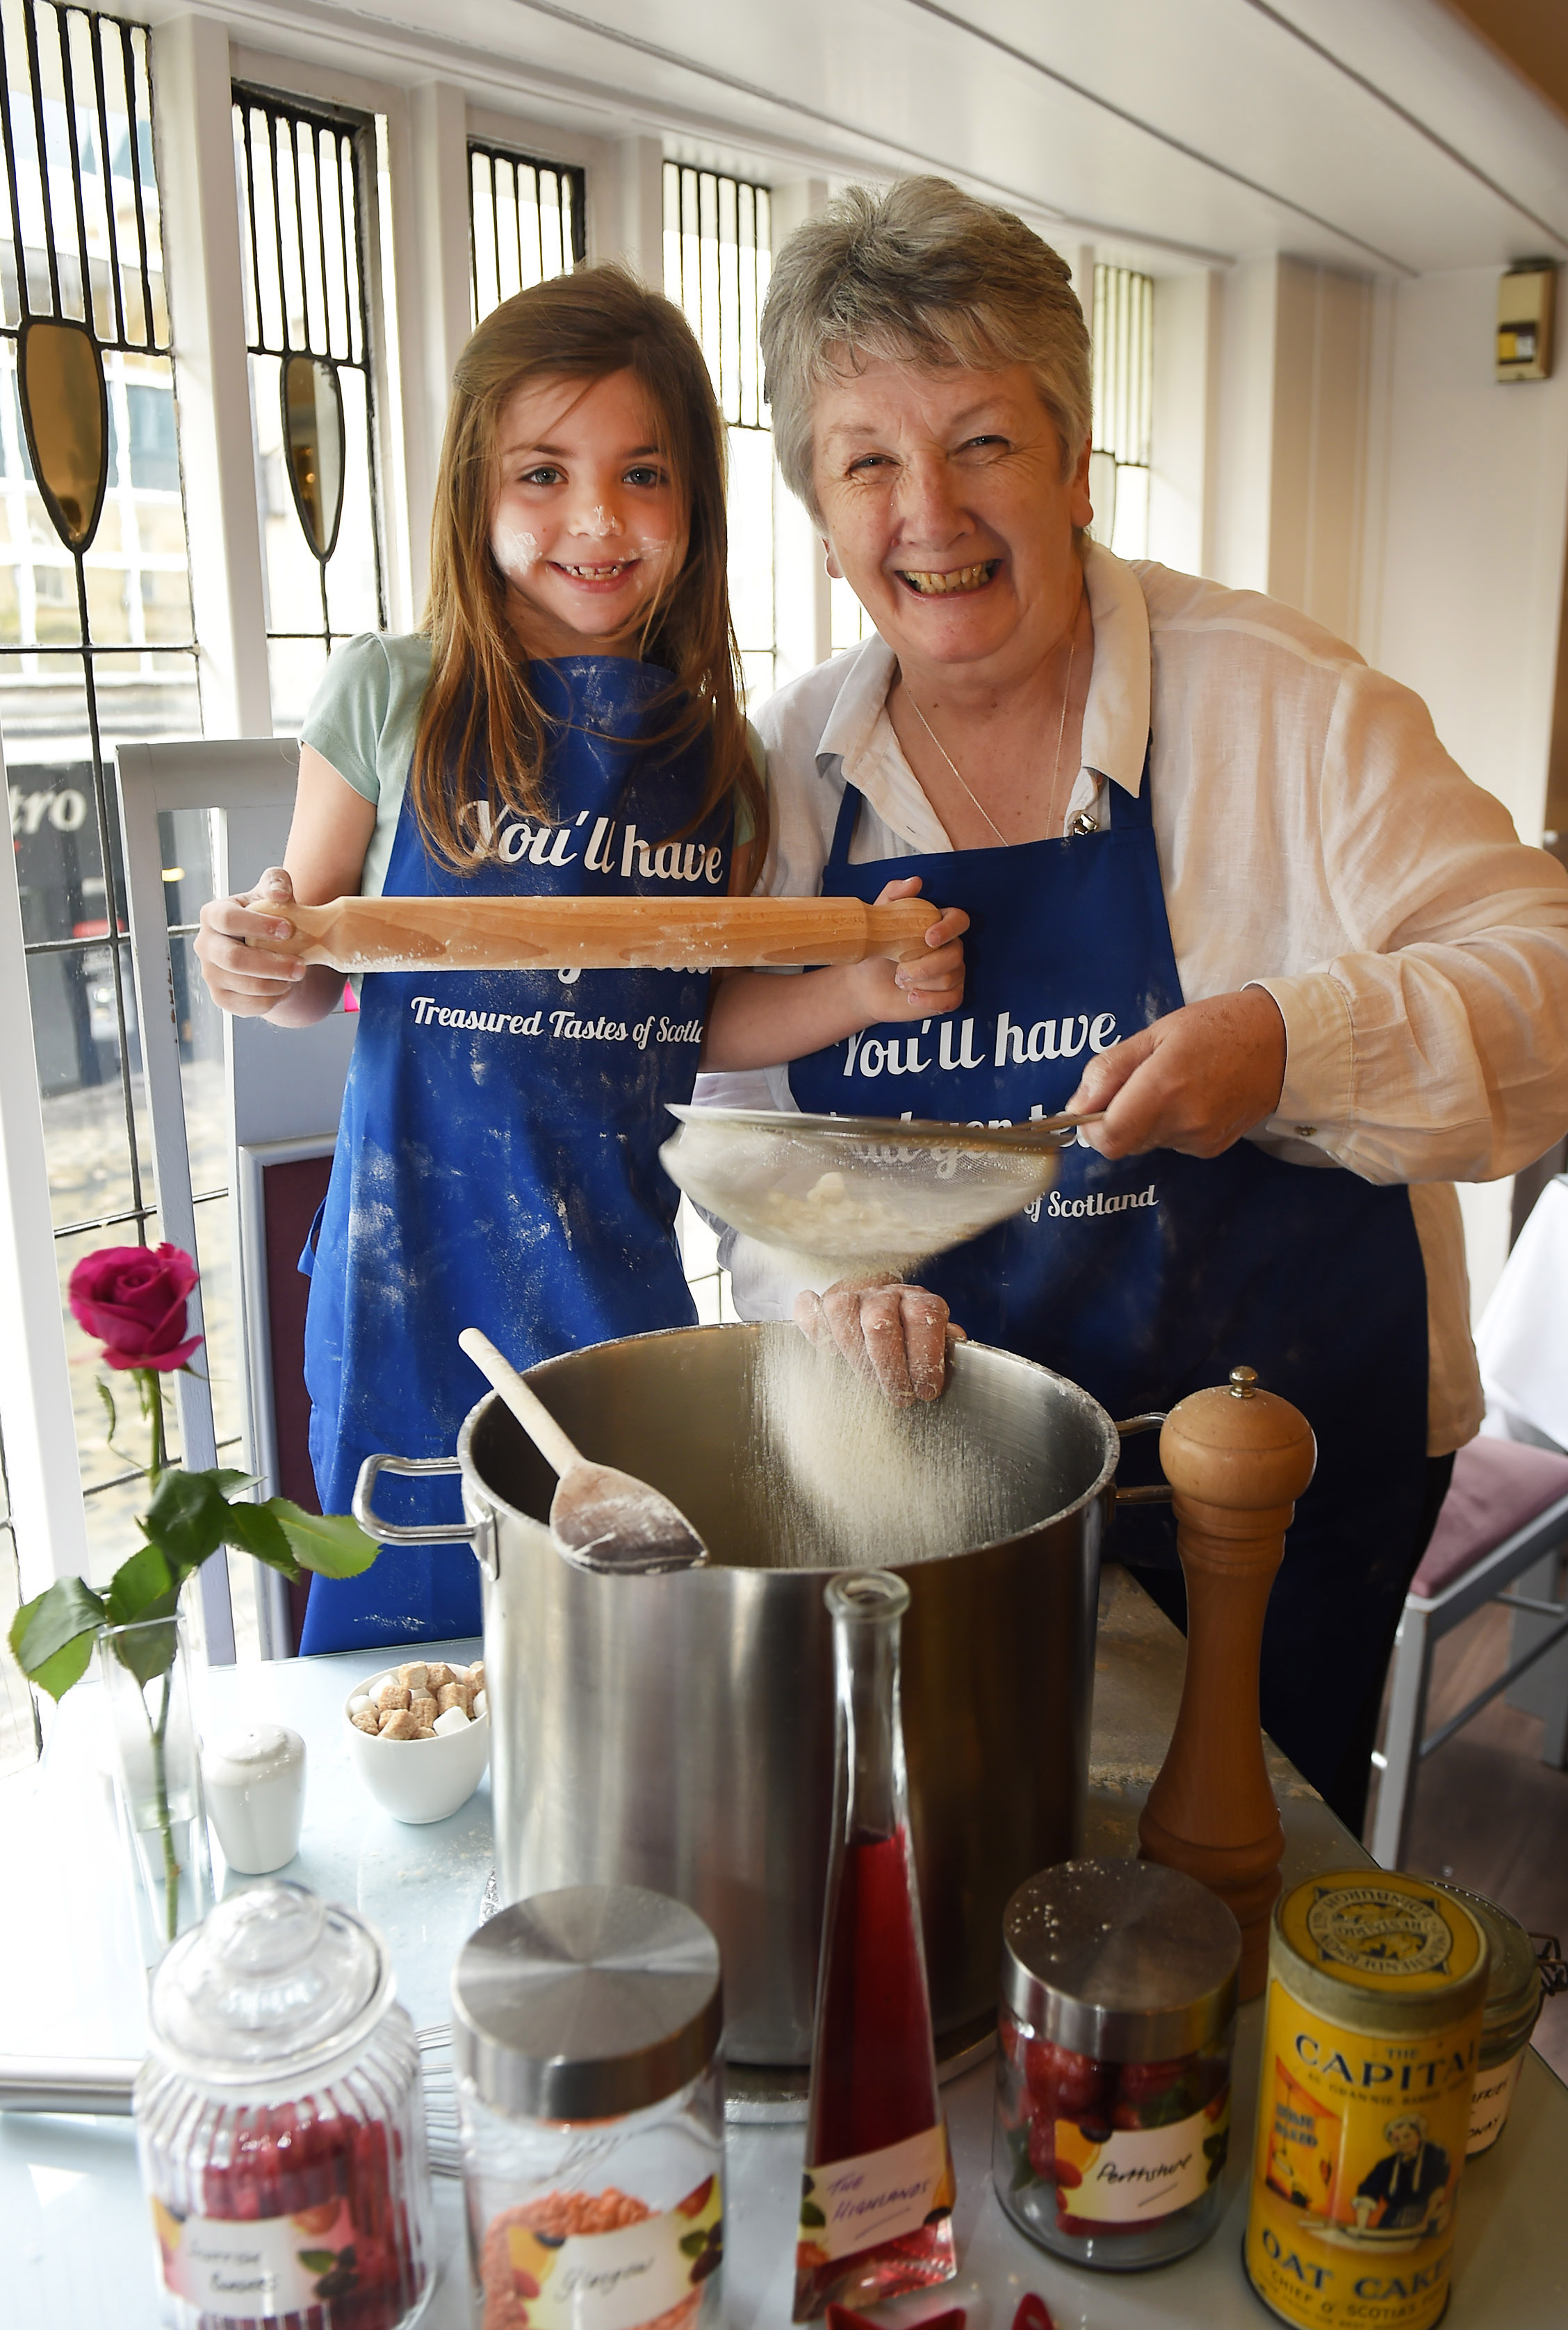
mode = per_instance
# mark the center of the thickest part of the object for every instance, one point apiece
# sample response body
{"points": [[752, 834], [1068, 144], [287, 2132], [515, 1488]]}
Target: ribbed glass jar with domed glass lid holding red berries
{"points": [[281, 2124]]}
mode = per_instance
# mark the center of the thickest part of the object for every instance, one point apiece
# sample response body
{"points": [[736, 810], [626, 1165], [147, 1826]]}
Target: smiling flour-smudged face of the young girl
{"points": [[588, 523]]}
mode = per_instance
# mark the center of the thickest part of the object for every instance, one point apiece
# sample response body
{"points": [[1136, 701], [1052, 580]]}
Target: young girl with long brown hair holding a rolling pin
{"points": [[565, 723]]}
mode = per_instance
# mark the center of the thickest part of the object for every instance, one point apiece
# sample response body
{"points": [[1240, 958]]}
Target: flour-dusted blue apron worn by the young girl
{"points": [[497, 1157]]}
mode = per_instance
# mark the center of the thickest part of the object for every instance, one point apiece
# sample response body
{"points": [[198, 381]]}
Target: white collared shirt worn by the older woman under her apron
{"points": [[1315, 840]]}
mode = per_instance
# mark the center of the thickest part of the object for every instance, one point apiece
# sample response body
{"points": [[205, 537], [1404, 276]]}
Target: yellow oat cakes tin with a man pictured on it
{"points": [[1364, 2100]]}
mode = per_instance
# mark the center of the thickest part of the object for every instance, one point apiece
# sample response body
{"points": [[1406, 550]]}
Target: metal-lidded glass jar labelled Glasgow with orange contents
{"points": [[586, 2038]]}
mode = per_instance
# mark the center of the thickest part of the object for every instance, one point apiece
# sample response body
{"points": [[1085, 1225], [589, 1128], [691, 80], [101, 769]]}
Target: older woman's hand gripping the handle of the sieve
{"points": [[1194, 1082]]}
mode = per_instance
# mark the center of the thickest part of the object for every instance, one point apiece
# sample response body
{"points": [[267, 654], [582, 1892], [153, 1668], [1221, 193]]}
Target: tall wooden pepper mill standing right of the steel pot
{"points": [[1238, 1460]]}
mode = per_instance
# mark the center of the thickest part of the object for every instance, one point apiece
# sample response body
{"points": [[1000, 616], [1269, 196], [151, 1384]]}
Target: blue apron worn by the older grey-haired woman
{"points": [[1154, 1276]]}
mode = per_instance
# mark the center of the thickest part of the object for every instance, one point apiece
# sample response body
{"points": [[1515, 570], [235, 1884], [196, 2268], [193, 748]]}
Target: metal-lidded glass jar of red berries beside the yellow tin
{"points": [[1120, 1989]]}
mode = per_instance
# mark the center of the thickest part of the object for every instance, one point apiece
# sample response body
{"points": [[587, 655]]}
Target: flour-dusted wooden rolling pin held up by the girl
{"points": [[598, 933]]}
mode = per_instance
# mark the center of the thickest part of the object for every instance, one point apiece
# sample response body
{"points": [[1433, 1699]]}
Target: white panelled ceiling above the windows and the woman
{"points": [[1371, 134]]}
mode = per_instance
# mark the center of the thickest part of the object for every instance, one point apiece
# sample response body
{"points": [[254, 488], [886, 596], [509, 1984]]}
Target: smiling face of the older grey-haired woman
{"points": [[947, 514]]}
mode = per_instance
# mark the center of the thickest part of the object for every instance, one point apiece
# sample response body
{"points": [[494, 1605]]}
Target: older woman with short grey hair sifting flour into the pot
{"points": [[1224, 884]]}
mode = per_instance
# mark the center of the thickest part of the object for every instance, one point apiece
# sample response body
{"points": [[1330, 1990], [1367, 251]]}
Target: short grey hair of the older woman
{"points": [[931, 276]]}
